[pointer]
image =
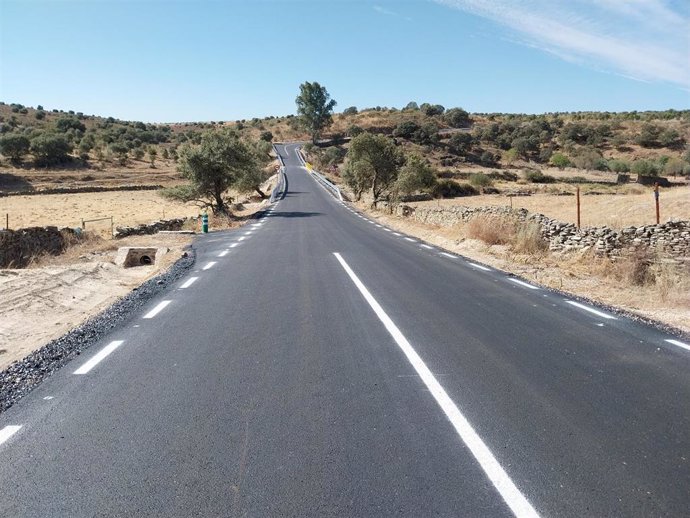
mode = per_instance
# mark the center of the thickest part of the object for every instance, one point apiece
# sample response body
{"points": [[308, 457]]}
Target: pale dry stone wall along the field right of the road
{"points": [[671, 238]]}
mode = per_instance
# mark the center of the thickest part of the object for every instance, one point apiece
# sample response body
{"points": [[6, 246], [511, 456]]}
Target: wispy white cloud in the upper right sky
{"points": [[643, 39]]}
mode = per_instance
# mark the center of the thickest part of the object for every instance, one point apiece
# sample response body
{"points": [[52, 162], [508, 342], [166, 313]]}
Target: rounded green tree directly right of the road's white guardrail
{"points": [[372, 165]]}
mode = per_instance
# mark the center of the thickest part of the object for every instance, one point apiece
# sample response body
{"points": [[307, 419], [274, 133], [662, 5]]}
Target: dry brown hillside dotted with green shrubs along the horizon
{"points": [[79, 149]]}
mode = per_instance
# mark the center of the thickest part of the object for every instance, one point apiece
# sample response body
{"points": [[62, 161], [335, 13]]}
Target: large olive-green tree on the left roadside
{"points": [[220, 161]]}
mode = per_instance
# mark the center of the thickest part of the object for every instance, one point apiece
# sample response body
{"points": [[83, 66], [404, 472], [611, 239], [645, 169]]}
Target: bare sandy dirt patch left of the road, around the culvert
{"points": [[43, 303]]}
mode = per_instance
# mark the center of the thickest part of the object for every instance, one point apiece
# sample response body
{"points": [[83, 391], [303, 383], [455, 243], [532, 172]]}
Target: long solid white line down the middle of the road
{"points": [[495, 472]]}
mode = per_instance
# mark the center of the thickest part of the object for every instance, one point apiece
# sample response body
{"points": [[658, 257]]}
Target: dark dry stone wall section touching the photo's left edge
{"points": [[18, 247]]}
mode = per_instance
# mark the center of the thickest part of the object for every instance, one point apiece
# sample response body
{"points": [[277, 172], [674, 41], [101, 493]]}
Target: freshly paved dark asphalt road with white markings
{"points": [[317, 364]]}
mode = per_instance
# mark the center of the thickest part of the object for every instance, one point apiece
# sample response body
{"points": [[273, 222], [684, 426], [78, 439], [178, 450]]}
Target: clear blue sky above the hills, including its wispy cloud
{"points": [[167, 60]]}
